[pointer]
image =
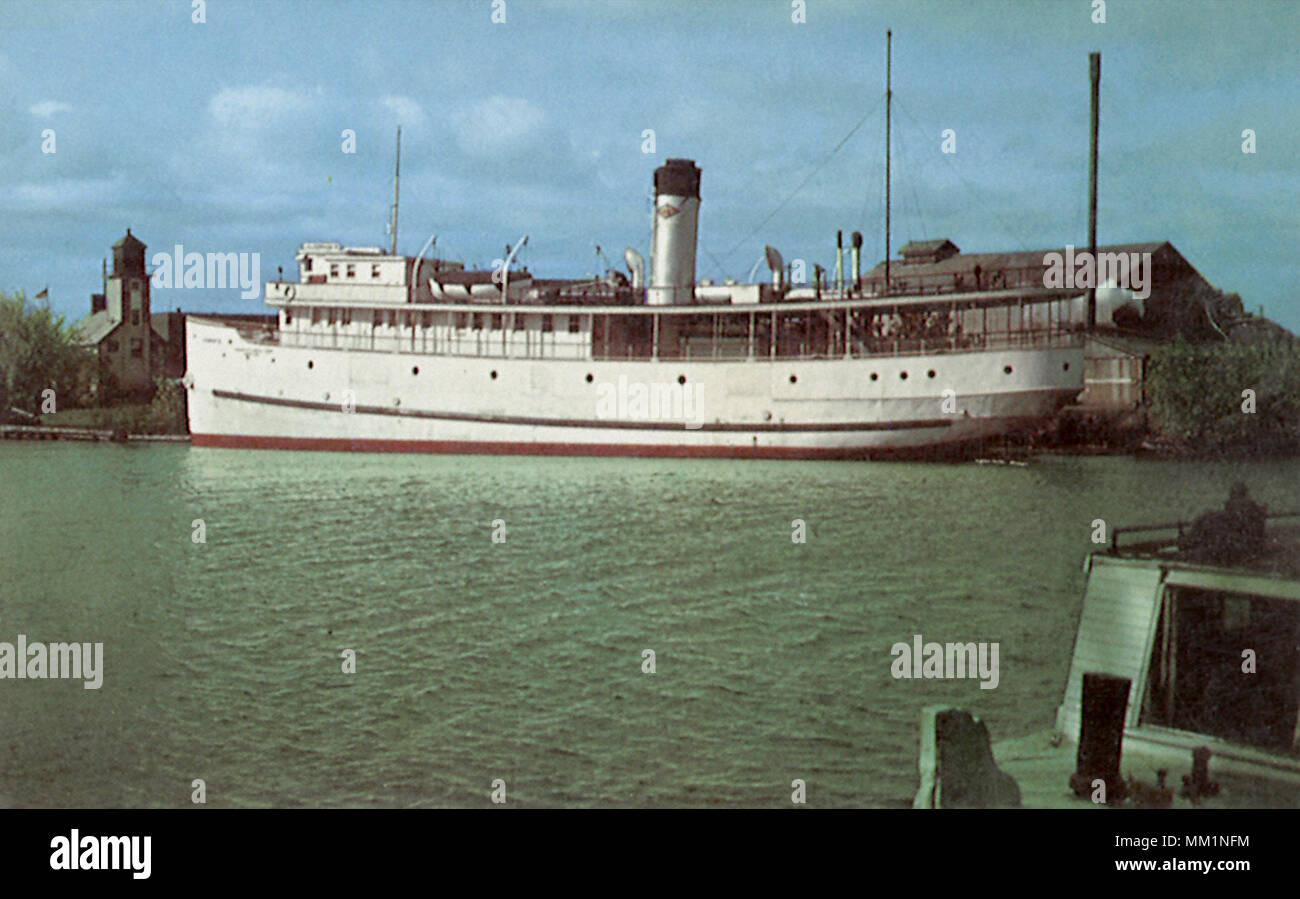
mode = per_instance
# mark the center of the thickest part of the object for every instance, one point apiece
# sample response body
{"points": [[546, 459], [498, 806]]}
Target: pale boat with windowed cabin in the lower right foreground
{"points": [[1184, 687]]}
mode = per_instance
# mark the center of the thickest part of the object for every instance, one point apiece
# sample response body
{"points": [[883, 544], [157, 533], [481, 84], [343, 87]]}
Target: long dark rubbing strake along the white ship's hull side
{"points": [[751, 428]]}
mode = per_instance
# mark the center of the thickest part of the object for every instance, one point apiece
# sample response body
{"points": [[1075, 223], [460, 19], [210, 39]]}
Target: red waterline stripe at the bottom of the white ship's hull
{"points": [[521, 449]]}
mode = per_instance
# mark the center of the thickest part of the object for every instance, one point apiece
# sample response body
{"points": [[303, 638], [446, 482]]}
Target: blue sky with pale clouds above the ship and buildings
{"points": [[228, 136]]}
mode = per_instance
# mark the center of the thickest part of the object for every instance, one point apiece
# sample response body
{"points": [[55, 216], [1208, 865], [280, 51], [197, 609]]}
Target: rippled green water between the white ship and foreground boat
{"points": [[523, 661]]}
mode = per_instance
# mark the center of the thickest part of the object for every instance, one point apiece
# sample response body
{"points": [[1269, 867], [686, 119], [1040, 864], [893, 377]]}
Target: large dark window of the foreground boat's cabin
{"points": [[1227, 665]]}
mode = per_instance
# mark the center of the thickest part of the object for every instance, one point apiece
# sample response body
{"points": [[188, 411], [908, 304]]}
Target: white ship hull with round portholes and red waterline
{"points": [[257, 394]]}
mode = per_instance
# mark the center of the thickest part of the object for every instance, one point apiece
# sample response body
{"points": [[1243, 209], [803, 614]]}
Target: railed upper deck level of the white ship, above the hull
{"points": [[608, 325]]}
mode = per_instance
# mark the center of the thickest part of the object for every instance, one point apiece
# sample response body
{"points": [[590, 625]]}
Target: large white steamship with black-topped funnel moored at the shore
{"points": [[378, 351]]}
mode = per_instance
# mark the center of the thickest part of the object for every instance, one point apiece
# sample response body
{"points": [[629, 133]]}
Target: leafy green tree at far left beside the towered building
{"points": [[38, 353]]}
